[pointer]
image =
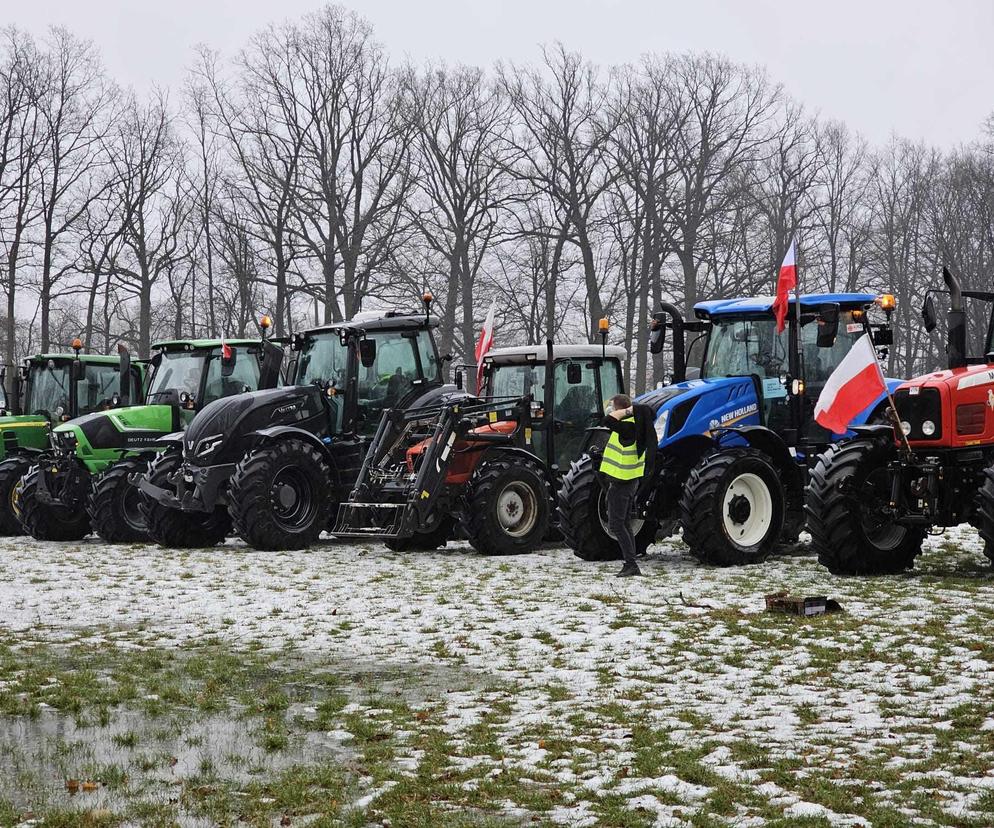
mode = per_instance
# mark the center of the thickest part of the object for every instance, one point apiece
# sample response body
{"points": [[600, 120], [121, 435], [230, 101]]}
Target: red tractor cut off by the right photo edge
{"points": [[871, 500]]}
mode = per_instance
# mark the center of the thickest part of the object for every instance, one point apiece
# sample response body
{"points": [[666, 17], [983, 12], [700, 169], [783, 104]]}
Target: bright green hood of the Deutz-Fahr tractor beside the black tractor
{"points": [[132, 428]]}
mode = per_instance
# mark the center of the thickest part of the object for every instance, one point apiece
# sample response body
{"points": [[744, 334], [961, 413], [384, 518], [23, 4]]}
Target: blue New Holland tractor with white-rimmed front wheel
{"points": [[736, 428]]}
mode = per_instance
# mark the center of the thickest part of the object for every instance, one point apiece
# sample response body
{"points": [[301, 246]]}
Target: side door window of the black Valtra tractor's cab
{"points": [[393, 376]]}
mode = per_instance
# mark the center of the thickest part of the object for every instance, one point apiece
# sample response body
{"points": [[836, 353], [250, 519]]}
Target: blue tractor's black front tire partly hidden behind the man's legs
{"points": [[583, 516]]}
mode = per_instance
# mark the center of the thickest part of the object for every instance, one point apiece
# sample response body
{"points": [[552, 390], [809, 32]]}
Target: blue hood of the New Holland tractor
{"points": [[697, 407]]}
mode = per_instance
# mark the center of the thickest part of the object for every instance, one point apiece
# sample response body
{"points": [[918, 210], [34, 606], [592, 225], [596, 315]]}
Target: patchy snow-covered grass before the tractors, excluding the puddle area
{"points": [[542, 688]]}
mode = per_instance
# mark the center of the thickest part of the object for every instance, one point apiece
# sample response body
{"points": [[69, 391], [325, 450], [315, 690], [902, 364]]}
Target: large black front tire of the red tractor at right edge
{"points": [[847, 490]]}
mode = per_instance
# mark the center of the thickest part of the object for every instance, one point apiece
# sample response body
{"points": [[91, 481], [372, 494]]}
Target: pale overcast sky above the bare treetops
{"points": [[924, 70]]}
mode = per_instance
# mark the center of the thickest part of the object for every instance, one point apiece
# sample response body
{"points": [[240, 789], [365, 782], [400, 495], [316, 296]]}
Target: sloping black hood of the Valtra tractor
{"points": [[221, 431]]}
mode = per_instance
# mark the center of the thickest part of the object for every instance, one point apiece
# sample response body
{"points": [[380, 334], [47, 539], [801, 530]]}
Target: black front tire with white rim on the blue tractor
{"points": [[732, 508]]}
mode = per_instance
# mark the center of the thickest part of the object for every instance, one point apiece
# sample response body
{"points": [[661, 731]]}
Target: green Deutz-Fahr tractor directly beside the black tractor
{"points": [[81, 484]]}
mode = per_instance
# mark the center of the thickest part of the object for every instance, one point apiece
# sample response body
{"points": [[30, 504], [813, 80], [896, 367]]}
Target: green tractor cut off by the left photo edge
{"points": [[51, 389]]}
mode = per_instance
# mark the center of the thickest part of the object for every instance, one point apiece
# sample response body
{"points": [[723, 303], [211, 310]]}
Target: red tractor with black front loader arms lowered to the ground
{"points": [[487, 466]]}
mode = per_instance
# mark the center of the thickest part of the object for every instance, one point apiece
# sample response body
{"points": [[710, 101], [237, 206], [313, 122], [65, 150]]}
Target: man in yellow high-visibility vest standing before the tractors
{"points": [[623, 465]]}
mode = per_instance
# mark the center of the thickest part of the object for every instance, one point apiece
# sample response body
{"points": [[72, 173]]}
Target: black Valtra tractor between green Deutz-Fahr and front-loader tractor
{"points": [[273, 465]]}
